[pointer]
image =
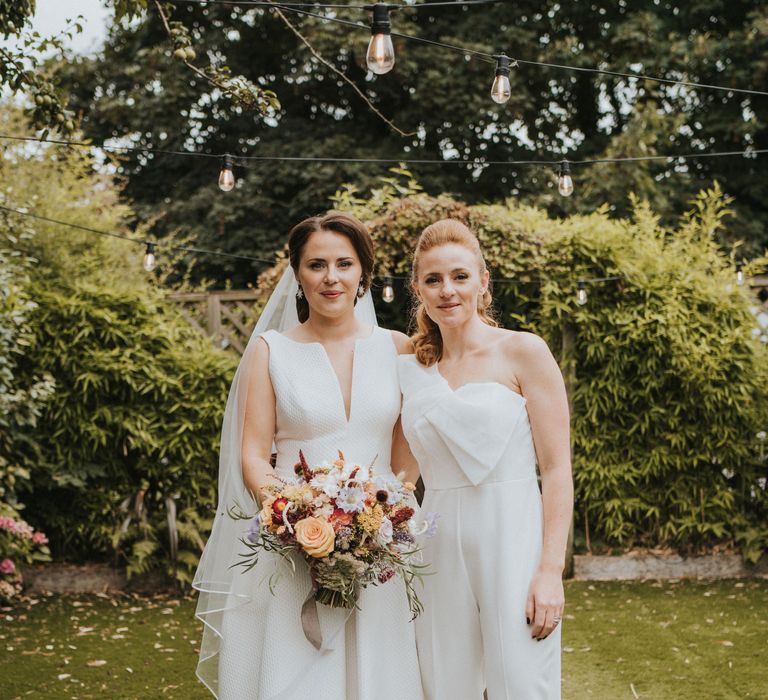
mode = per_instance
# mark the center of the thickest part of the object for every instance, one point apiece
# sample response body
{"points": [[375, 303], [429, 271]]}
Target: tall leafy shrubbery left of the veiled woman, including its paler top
{"points": [[126, 448]]}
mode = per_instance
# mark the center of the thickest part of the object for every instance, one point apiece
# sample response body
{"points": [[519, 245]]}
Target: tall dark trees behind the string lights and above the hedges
{"points": [[443, 100]]}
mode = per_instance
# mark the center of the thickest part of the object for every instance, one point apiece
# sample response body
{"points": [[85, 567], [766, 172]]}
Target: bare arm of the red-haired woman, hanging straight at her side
{"points": [[541, 383]]}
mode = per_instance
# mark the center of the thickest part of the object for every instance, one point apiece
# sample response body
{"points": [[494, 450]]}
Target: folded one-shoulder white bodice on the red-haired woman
{"points": [[478, 433]]}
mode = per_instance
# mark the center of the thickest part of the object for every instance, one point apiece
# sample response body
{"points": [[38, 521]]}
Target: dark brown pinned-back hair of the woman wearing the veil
{"points": [[345, 224]]}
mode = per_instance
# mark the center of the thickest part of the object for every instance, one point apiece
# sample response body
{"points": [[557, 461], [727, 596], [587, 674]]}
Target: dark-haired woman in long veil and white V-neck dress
{"points": [[328, 383]]}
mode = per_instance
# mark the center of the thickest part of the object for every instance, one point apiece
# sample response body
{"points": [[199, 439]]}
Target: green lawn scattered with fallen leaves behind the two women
{"points": [[683, 640]]}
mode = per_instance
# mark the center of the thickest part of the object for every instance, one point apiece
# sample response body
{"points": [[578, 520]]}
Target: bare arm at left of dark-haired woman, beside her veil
{"points": [[259, 427]]}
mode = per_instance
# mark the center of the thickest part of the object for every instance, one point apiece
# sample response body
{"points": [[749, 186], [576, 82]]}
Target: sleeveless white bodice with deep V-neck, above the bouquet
{"points": [[310, 410]]}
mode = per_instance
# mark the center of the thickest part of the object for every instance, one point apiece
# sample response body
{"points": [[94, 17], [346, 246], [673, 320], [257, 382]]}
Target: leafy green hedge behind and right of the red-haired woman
{"points": [[668, 385]]}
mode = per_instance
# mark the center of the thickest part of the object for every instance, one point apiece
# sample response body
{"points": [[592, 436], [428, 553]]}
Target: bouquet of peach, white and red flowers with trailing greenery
{"points": [[352, 527]]}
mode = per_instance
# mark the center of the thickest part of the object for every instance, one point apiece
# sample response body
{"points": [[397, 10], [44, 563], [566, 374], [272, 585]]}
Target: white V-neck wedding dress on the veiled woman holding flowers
{"points": [[263, 652]]}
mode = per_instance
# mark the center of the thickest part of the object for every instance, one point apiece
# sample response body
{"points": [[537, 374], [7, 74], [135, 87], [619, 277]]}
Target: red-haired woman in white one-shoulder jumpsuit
{"points": [[482, 407]]}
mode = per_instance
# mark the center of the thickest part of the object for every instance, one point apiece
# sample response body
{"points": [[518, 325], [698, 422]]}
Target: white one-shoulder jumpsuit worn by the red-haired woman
{"points": [[475, 450]]}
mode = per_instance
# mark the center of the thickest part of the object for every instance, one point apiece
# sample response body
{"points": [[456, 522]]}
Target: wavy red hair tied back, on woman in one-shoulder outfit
{"points": [[427, 341]]}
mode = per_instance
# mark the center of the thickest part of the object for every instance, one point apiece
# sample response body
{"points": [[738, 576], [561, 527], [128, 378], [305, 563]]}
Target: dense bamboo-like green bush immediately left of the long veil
{"points": [[131, 441]]}
